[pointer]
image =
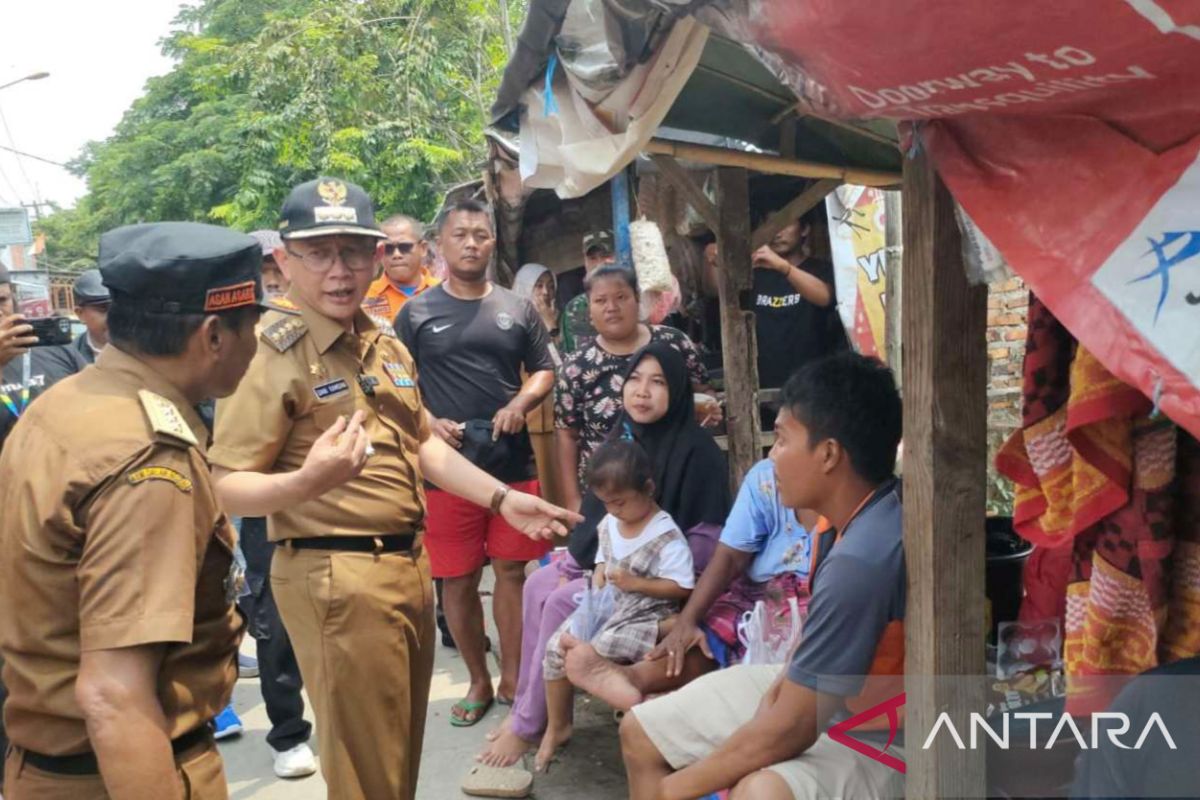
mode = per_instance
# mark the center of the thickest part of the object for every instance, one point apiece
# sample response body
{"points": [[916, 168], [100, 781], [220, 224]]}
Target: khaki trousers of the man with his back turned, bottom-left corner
{"points": [[201, 773]]}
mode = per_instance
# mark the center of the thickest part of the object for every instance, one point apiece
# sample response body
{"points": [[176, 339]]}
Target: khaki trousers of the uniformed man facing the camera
{"points": [[363, 630]]}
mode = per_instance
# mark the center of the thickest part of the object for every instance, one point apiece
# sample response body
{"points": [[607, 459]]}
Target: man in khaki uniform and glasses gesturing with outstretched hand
{"points": [[328, 438]]}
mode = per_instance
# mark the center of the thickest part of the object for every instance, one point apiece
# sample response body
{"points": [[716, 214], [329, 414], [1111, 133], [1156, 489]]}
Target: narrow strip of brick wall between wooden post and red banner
{"points": [[1007, 306]]}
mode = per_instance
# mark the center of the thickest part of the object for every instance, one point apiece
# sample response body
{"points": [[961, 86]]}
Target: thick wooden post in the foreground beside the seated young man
{"points": [[945, 454]]}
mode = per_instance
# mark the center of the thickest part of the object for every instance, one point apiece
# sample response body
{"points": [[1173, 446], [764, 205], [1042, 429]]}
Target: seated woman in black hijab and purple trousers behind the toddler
{"points": [[692, 484]]}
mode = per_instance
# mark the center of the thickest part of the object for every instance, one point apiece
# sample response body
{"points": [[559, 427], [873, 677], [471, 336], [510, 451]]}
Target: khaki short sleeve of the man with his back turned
{"points": [[141, 555]]}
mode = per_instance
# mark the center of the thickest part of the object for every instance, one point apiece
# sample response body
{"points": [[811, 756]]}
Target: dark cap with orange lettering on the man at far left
{"points": [[183, 268]]}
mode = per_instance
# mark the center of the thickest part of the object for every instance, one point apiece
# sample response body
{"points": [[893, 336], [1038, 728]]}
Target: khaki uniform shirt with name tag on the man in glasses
{"points": [[305, 376]]}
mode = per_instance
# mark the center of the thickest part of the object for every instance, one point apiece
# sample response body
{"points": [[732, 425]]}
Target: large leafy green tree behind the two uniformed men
{"points": [[266, 94]]}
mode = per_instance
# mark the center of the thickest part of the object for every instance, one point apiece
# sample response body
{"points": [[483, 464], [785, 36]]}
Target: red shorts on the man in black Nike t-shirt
{"points": [[461, 536]]}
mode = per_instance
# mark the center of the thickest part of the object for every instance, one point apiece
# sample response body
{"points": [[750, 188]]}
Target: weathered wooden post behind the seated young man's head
{"points": [[739, 344]]}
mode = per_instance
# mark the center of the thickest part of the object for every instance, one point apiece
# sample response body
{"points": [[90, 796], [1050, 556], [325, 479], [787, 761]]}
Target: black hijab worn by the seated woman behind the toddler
{"points": [[691, 474]]}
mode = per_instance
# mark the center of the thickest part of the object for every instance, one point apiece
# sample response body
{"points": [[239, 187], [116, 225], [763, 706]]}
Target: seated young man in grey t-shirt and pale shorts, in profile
{"points": [[759, 729]]}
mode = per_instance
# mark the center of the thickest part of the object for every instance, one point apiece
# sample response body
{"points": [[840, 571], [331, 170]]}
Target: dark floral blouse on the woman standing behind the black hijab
{"points": [[587, 395]]}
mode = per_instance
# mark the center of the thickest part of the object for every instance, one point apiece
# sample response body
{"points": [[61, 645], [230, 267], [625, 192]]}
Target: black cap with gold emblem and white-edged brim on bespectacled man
{"points": [[328, 207]]}
